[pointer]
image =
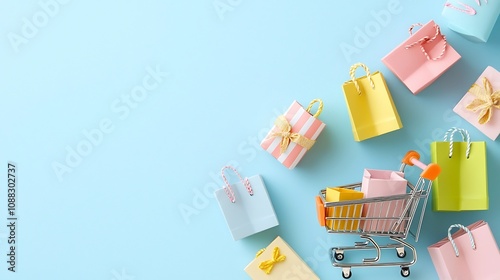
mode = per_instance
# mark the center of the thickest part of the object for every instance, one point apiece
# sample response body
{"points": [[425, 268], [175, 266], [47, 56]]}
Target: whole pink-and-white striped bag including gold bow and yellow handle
{"points": [[294, 133]]}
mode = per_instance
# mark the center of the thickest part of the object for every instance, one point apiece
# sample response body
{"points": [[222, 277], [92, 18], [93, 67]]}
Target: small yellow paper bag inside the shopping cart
{"points": [[343, 212]]}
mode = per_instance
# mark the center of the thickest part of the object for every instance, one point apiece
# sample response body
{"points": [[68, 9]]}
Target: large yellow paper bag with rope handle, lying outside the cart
{"points": [[369, 103]]}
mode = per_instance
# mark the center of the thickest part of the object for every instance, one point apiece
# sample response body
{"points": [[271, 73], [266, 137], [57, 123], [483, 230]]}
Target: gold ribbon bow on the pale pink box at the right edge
{"points": [[485, 100]]}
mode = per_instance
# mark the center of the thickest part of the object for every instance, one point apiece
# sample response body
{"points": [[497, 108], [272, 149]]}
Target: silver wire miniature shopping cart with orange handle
{"points": [[389, 216]]}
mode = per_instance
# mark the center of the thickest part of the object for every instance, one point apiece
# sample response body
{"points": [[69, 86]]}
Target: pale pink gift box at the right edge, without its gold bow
{"points": [[492, 127]]}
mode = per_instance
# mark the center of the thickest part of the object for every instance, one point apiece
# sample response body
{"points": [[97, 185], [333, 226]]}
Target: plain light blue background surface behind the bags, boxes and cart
{"points": [[118, 213]]}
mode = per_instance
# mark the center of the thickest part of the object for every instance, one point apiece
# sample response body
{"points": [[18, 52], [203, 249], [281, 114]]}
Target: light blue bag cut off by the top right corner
{"points": [[472, 19]]}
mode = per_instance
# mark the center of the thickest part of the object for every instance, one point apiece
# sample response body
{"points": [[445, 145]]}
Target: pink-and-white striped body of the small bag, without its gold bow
{"points": [[301, 122]]}
